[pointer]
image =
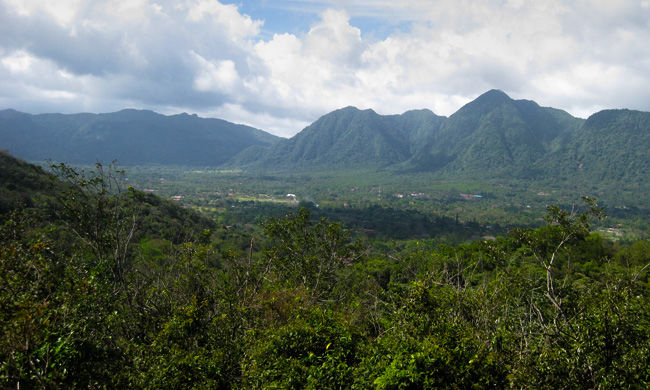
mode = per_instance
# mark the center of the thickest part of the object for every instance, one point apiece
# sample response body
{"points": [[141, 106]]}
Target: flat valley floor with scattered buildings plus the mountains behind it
{"points": [[517, 156]]}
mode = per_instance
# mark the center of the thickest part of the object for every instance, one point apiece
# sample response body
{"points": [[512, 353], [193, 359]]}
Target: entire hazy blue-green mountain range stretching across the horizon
{"points": [[492, 136]]}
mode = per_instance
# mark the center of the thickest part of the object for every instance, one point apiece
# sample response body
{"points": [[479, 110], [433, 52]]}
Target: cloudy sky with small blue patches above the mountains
{"points": [[278, 65]]}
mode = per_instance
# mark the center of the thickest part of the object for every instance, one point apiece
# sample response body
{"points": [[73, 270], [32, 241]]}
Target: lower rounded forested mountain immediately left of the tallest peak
{"points": [[348, 137]]}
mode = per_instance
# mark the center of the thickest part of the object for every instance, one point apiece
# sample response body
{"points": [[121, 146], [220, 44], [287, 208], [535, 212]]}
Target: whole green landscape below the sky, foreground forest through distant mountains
{"points": [[504, 246]]}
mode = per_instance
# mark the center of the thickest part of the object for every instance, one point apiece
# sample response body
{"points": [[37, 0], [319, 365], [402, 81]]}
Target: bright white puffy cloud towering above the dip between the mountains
{"points": [[315, 69]]}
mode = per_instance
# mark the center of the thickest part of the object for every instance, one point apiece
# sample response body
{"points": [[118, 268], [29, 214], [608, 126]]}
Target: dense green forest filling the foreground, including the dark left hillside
{"points": [[104, 286]]}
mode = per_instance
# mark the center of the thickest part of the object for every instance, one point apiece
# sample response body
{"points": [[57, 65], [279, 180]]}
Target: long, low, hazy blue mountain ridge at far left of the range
{"points": [[130, 136]]}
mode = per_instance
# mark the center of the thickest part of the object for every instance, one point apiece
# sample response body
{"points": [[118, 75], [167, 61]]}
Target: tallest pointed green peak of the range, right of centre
{"points": [[495, 135]]}
